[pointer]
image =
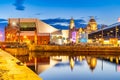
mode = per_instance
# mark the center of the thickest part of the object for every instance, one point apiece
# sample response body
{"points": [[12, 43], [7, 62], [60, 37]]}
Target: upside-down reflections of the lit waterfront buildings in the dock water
{"points": [[40, 63]]}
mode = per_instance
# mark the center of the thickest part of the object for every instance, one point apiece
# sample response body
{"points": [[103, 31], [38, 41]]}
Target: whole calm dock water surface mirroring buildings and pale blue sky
{"points": [[62, 66]]}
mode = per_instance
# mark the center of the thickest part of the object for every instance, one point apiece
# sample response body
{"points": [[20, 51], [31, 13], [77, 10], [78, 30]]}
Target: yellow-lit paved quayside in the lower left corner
{"points": [[12, 69]]}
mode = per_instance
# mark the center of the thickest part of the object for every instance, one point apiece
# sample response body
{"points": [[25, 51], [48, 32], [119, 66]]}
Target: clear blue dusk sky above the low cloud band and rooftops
{"points": [[105, 11]]}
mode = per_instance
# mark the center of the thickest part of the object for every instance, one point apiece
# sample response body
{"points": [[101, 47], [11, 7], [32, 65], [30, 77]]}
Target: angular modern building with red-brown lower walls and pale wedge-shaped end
{"points": [[28, 30]]}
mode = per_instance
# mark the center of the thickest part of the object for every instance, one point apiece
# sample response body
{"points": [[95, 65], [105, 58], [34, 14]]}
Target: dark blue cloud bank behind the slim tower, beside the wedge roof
{"points": [[64, 23]]}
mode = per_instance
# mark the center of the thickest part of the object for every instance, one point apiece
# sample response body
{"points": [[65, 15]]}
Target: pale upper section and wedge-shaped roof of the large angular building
{"points": [[41, 26]]}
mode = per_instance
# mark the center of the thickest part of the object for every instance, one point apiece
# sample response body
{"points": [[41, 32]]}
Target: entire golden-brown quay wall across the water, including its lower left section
{"points": [[85, 50]]}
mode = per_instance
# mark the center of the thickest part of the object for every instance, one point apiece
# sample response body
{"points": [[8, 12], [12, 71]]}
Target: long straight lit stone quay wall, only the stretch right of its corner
{"points": [[74, 48]]}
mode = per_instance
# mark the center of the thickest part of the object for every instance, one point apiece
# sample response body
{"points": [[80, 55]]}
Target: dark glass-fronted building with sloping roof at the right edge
{"points": [[107, 35]]}
